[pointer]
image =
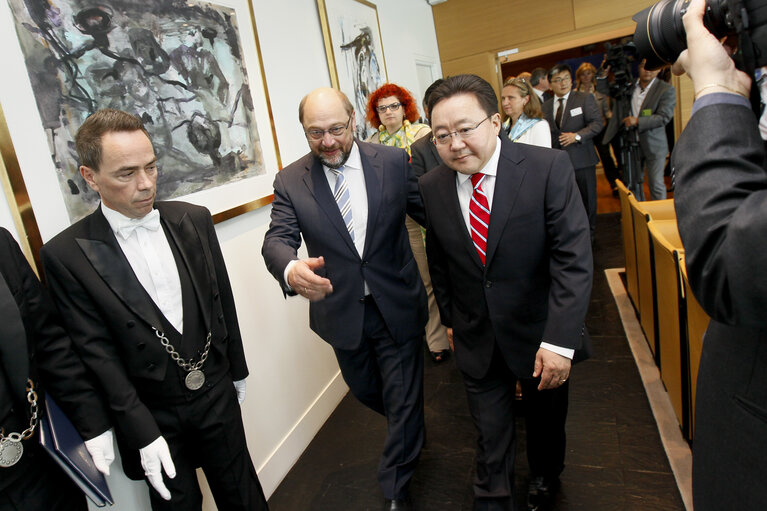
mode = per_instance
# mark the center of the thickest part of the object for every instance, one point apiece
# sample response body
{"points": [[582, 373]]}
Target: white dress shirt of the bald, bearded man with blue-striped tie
{"points": [[358, 195]]}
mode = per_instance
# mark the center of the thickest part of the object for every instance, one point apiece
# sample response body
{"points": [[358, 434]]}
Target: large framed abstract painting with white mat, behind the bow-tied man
{"points": [[190, 69]]}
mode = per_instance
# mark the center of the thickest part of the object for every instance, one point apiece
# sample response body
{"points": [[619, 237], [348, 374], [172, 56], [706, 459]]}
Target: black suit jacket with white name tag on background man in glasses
{"points": [[587, 122]]}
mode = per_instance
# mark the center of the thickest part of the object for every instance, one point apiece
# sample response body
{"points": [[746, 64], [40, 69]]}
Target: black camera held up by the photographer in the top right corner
{"points": [[660, 36]]}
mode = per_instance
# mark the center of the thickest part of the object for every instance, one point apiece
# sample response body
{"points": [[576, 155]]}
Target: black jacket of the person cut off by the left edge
{"points": [[45, 354]]}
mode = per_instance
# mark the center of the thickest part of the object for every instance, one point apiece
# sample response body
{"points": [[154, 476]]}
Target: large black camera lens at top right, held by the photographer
{"points": [[660, 35]]}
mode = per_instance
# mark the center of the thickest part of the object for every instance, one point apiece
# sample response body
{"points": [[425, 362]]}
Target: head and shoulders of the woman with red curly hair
{"points": [[393, 111]]}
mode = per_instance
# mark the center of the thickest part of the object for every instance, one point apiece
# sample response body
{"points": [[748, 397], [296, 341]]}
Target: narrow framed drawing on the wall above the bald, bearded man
{"points": [[355, 52]]}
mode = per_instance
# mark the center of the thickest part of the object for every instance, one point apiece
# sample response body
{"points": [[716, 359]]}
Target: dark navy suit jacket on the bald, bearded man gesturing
{"points": [[304, 206]]}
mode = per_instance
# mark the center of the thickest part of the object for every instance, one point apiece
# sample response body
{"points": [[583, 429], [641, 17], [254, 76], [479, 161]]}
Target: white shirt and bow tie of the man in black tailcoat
{"points": [[152, 261]]}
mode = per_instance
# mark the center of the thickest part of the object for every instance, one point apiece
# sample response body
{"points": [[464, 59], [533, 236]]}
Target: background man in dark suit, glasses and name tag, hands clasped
{"points": [[575, 120]]}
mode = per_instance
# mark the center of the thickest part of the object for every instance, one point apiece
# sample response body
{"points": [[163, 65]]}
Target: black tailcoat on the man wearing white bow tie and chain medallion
{"points": [[110, 316]]}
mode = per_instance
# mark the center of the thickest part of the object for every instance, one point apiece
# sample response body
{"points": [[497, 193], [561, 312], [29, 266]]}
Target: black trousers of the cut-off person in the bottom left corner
{"points": [[39, 485]]}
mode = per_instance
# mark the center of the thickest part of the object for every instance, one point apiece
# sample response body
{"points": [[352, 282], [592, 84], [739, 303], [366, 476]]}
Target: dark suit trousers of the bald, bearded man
{"points": [[388, 378]]}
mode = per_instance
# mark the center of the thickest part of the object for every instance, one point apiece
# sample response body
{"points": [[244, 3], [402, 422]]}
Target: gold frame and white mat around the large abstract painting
{"points": [[35, 208]]}
